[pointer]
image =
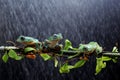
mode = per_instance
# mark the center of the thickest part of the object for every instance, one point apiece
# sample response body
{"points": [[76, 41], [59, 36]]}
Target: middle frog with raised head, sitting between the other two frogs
{"points": [[53, 40]]}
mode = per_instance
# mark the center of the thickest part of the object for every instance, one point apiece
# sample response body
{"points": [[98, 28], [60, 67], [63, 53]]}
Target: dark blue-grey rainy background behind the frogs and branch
{"points": [[78, 20]]}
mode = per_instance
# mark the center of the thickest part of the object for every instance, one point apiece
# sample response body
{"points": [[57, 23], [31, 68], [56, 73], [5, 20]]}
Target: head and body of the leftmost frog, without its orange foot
{"points": [[29, 41]]}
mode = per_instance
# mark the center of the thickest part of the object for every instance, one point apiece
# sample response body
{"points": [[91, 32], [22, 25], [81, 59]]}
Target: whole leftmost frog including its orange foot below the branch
{"points": [[30, 42]]}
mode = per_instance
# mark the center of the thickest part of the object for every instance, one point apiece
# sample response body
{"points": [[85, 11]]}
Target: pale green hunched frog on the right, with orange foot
{"points": [[88, 49]]}
